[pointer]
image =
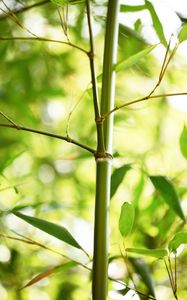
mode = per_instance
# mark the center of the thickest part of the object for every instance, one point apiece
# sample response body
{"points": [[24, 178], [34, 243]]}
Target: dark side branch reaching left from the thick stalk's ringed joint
{"points": [[53, 135]]}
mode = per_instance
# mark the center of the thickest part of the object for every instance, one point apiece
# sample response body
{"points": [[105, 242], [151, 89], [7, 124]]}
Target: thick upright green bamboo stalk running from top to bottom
{"points": [[103, 164]]}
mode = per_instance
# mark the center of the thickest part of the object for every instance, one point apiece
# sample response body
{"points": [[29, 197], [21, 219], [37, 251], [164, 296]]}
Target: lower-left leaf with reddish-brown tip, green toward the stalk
{"points": [[49, 272]]}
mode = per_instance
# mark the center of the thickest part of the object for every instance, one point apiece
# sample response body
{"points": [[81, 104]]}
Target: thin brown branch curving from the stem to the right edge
{"points": [[142, 99]]}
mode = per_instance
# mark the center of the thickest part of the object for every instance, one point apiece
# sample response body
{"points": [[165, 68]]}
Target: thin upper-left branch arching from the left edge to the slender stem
{"points": [[42, 39]]}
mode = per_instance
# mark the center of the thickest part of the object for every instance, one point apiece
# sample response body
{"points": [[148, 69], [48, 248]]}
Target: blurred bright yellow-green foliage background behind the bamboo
{"points": [[46, 85]]}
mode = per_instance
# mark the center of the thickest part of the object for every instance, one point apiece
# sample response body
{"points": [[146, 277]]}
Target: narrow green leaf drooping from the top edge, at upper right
{"points": [[156, 22]]}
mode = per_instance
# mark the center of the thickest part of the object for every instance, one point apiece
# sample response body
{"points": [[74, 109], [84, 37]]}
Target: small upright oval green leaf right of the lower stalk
{"points": [[126, 219]]}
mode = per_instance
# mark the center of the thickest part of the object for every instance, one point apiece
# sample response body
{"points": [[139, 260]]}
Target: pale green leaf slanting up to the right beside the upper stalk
{"points": [[132, 60]]}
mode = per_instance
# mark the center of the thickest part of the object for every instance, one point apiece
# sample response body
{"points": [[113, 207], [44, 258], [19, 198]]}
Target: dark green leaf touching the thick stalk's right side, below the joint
{"points": [[117, 177]]}
